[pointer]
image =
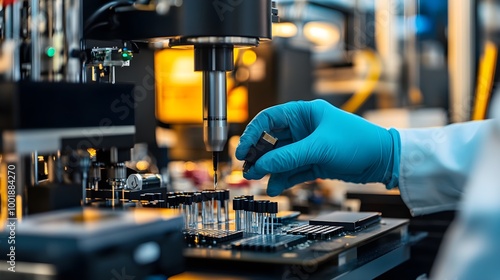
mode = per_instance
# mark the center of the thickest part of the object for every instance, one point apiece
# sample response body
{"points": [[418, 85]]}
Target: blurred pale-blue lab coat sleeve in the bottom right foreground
{"points": [[470, 249]]}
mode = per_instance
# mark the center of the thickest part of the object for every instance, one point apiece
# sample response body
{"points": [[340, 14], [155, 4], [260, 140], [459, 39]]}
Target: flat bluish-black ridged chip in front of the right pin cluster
{"points": [[268, 243]]}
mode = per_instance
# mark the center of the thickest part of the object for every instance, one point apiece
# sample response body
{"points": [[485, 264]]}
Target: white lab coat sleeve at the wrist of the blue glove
{"points": [[435, 164]]}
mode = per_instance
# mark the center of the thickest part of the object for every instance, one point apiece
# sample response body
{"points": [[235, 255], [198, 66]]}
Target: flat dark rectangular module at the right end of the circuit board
{"points": [[351, 221]]}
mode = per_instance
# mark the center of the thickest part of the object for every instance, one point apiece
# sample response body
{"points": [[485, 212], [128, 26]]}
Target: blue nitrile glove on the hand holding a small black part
{"points": [[318, 140]]}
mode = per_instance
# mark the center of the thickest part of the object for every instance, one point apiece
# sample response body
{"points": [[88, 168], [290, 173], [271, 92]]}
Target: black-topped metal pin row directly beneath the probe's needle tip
{"points": [[189, 204]]}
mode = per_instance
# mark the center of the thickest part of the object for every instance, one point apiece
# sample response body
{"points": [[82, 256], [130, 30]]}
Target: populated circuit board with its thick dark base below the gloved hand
{"points": [[339, 240]]}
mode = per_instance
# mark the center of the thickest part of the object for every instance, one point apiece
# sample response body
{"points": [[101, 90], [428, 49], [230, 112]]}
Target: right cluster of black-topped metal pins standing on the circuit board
{"points": [[254, 216]]}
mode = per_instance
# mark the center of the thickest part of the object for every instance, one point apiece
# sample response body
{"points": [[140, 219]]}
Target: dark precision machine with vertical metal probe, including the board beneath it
{"points": [[76, 210]]}
